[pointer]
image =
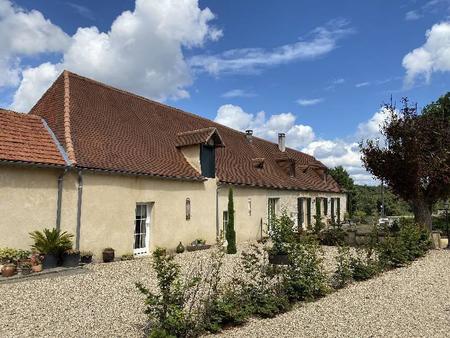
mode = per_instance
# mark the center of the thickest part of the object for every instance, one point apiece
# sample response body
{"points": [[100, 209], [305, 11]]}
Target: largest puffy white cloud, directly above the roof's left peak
{"points": [[142, 52]]}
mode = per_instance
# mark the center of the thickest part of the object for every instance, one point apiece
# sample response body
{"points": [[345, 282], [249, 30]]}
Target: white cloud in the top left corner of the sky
{"points": [[24, 33]]}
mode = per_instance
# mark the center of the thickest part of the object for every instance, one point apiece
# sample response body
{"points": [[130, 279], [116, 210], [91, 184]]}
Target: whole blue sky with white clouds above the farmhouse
{"points": [[318, 71]]}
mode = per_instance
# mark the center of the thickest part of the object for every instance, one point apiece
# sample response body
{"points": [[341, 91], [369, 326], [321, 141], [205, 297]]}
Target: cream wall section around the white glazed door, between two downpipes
{"points": [[108, 211]]}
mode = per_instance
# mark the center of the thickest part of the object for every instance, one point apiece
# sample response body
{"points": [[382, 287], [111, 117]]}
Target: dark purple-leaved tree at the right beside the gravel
{"points": [[414, 158]]}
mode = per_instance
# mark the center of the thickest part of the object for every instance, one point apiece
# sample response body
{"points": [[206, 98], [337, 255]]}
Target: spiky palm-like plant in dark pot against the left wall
{"points": [[51, 243]]}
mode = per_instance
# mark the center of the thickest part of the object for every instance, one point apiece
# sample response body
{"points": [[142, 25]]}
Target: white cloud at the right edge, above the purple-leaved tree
{"points": [[433, 56]]}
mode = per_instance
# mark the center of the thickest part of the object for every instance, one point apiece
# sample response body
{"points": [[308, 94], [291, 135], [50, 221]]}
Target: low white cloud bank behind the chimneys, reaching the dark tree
{"points": [[332, 153]]}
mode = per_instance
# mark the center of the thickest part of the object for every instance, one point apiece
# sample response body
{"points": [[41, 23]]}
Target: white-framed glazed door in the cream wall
{"points": [[142, 230]]}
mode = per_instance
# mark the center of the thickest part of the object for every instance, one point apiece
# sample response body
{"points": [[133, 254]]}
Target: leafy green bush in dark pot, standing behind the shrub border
{"points": [[281, 233]]}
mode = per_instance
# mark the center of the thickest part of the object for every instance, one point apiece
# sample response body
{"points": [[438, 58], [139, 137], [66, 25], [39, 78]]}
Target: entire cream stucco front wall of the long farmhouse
{"points": [[29, 197]]}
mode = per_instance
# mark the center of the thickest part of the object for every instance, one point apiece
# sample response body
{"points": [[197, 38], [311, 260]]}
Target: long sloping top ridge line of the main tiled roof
{"points": [[174, 108]]}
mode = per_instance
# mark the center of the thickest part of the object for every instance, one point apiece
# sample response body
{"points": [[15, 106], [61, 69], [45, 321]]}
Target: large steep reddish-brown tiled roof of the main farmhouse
{"points": [[111, 129]]}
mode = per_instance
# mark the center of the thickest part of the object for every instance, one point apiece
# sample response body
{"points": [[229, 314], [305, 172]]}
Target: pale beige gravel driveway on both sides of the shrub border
{"points": [[103, 302]]}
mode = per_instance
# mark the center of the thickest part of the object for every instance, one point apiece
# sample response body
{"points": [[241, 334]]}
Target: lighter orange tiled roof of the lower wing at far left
{"points": [[24, 138]]}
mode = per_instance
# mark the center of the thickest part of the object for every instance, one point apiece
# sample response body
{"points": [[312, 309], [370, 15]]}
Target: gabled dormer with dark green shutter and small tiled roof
{"points": [[198, 147]]}
